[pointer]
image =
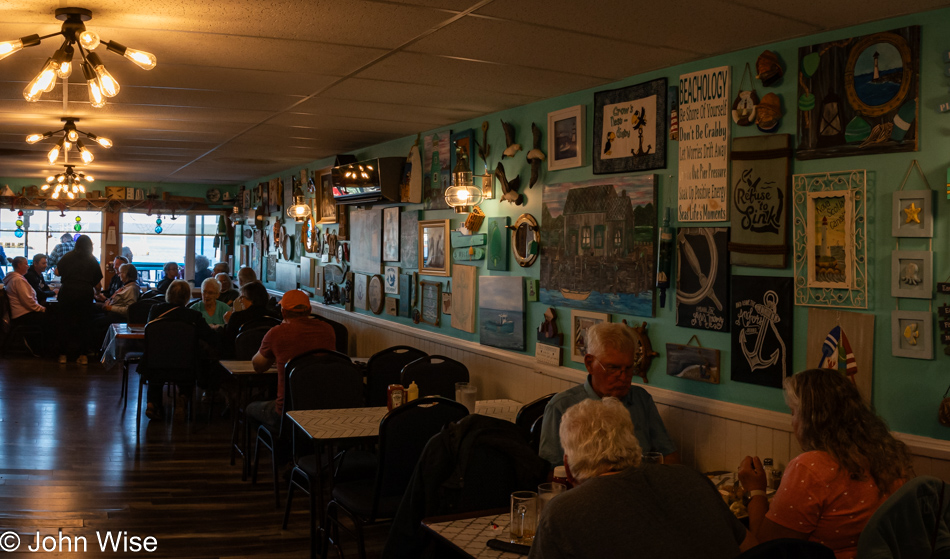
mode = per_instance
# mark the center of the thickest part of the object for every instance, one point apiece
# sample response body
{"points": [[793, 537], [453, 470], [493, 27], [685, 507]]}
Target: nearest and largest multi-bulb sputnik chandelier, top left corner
{"points": [[100, 82]]}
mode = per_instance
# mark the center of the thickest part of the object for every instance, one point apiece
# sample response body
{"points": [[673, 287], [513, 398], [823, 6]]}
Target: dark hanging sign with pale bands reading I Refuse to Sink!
{"points": [[761, 183]]}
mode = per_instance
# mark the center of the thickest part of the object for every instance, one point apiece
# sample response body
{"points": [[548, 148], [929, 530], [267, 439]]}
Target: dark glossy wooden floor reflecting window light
{"points": [[70, 460]]}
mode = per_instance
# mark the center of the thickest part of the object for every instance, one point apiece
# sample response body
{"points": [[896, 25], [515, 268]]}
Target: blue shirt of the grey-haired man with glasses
{"points": [[647, 423]]}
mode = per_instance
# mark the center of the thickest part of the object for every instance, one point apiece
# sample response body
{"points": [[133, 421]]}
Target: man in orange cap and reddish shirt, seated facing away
{"points": [[296, 335]]}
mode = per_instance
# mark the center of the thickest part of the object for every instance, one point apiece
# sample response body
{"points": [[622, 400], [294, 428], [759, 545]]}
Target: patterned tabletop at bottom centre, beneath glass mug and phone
{"points": [[469, 533]]}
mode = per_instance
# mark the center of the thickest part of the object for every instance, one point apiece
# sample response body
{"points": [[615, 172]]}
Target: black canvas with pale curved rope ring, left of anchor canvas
{"points": [[702, 278]]}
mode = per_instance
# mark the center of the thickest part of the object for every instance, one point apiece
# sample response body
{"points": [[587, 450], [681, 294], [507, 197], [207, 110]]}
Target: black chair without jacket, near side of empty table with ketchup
{"points": [[403, 434]]}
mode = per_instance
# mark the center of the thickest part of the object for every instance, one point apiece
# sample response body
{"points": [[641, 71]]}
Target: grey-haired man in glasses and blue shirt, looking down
{"points": [[609, 361]]}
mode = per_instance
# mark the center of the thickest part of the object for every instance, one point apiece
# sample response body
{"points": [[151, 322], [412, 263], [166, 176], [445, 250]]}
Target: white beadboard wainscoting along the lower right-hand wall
{"points": [[711, 435]]}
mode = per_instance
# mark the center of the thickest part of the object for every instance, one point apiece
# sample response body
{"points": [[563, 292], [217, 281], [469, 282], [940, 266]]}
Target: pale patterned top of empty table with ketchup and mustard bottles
{"points": [[348, 423]]}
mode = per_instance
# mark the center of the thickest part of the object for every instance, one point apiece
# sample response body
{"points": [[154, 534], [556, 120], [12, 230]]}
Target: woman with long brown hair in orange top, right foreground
{"points": [[850, 466]]}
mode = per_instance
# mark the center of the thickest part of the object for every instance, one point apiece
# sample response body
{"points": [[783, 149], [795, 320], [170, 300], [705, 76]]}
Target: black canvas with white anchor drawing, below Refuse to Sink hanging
{"points": [[762, 329]]}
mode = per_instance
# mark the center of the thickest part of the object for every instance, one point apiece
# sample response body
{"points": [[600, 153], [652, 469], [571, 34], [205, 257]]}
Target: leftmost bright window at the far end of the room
{"points": [[43, 229]]}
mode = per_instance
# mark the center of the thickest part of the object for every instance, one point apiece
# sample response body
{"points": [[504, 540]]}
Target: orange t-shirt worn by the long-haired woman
{"points": [[817, 497]]}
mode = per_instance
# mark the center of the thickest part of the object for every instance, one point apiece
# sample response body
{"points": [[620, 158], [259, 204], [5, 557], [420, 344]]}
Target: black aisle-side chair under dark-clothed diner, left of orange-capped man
{"points": [[170, 355]]}
